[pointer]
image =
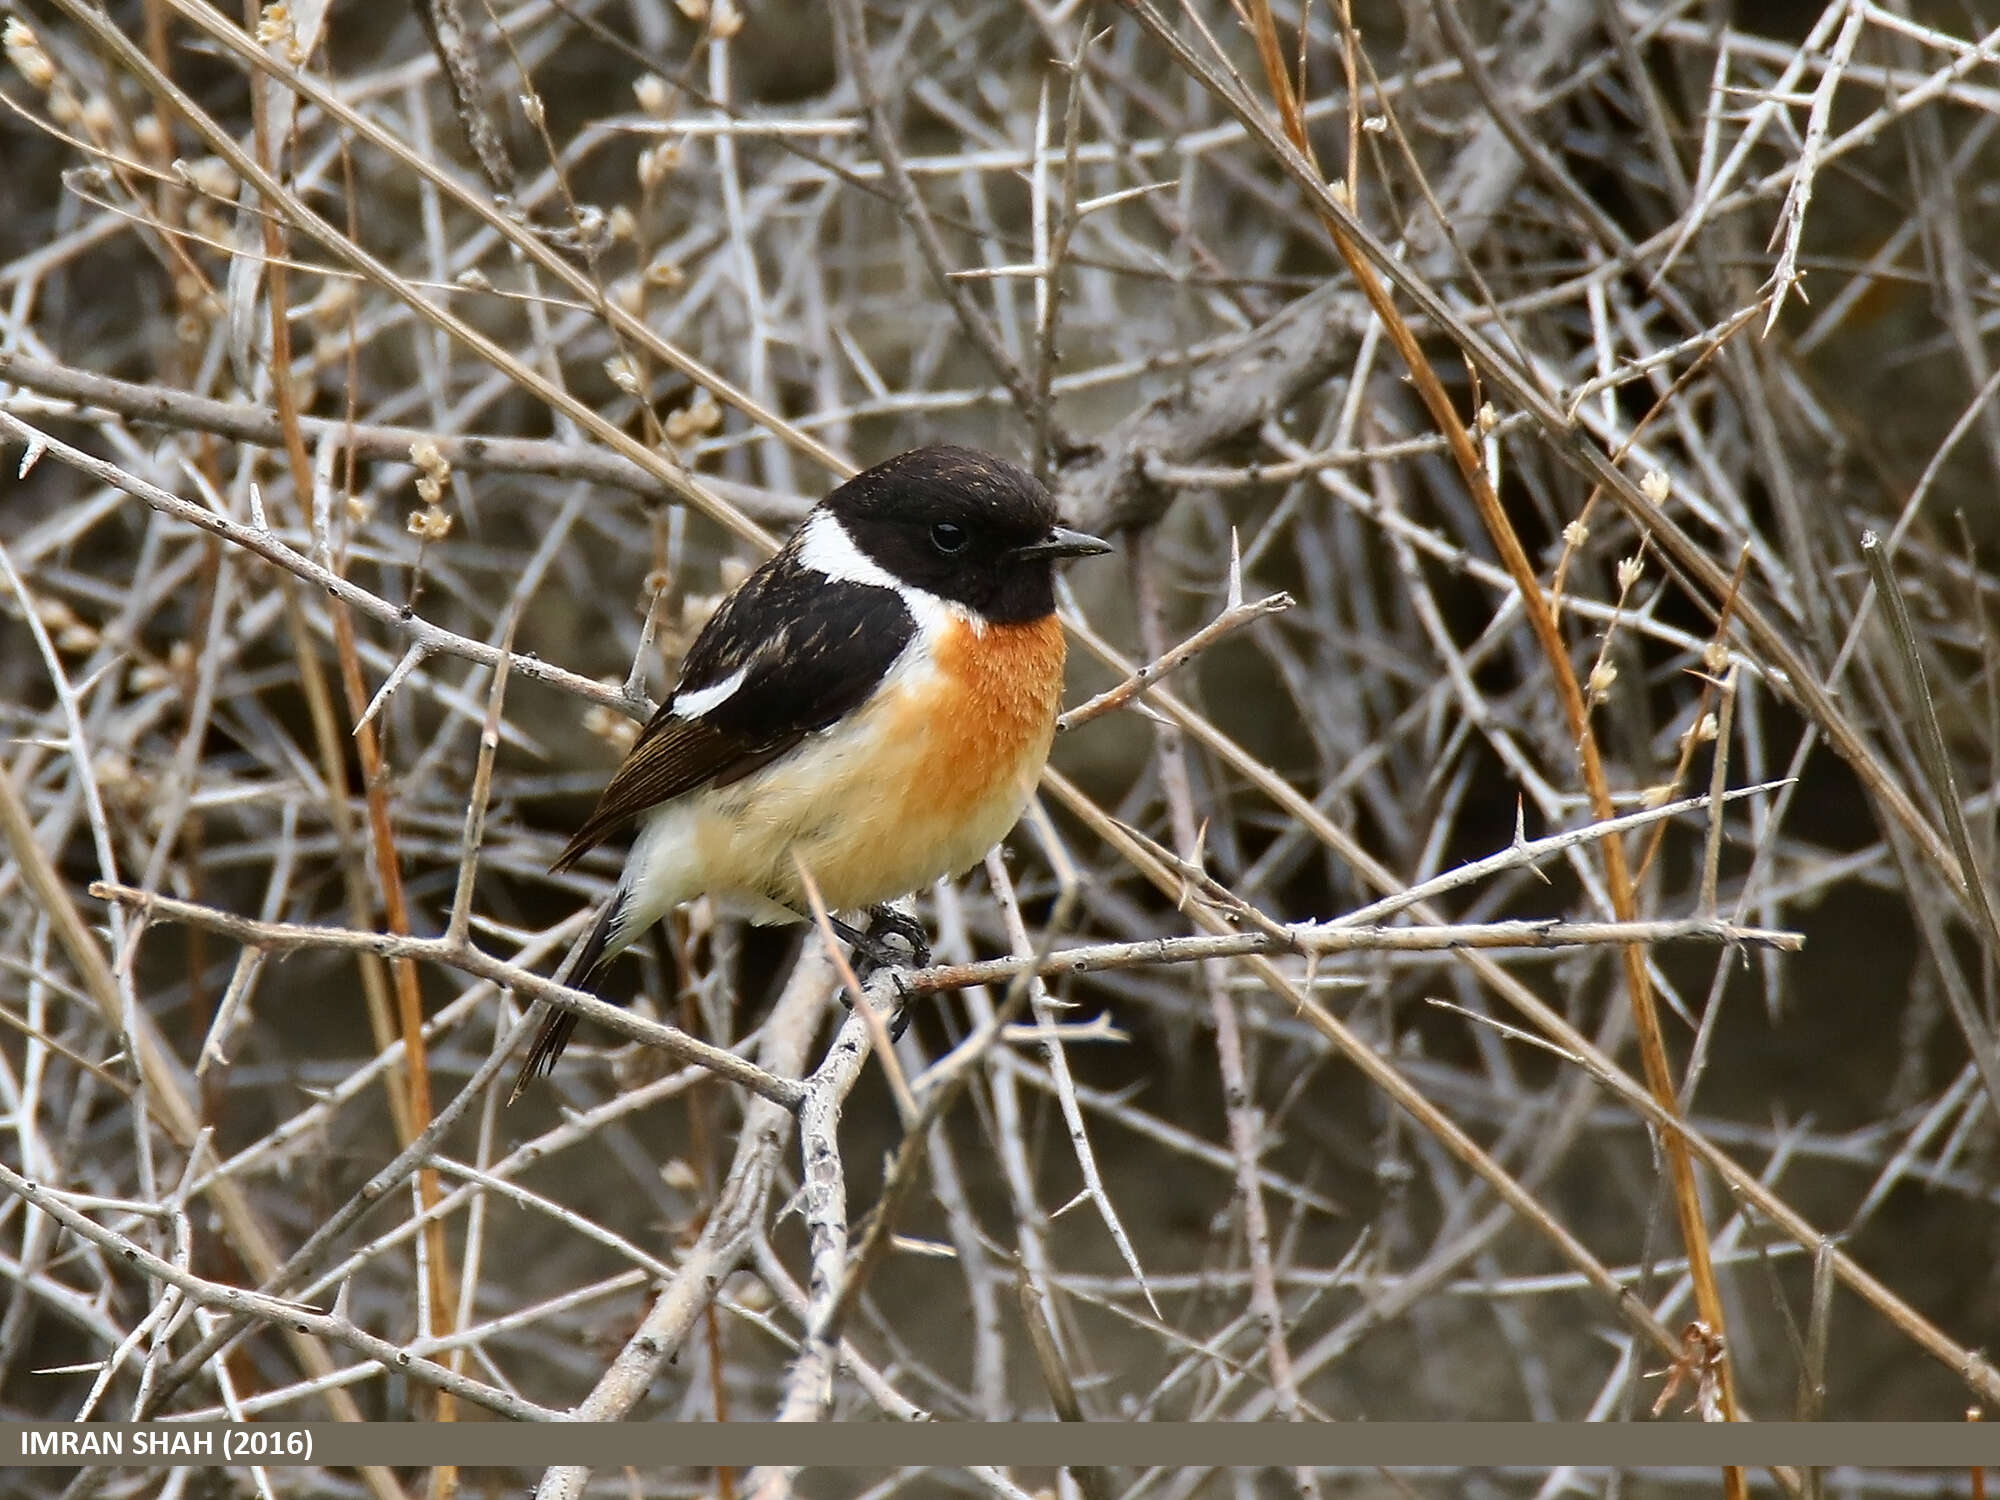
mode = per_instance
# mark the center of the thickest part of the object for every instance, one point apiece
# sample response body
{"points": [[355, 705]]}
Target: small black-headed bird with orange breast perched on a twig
{"points": [[875, 703]]}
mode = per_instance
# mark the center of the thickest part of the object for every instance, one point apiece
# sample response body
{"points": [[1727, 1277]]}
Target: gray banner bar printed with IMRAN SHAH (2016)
{"points": [[885, 1445]]}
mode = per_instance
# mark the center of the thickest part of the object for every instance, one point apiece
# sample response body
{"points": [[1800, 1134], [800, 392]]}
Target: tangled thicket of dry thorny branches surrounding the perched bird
{"points": [[1327, 1105]]}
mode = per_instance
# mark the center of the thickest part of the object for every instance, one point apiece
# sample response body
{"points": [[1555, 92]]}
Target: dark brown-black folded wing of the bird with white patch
{"points": [[789, 653]]}
